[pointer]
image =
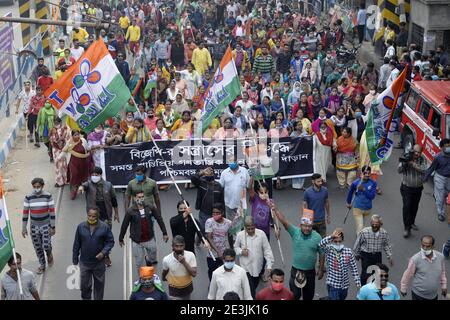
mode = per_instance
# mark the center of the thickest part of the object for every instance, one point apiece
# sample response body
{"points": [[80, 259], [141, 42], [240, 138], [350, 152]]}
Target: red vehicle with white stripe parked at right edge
{"points": [[426, 116]]}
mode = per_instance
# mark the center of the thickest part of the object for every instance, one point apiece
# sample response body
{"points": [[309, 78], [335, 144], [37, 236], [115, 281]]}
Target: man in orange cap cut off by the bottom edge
{"points": [[147, 288]]}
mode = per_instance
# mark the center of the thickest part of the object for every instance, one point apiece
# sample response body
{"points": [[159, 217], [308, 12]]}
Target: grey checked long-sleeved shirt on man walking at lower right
{"points": [[371, 242]]}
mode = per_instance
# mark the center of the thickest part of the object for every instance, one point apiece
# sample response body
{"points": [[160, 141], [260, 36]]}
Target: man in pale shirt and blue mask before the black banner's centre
{"points": [[233, 180]]}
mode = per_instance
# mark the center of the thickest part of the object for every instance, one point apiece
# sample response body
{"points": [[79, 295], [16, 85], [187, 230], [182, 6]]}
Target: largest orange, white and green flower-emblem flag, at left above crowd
{"points": [[92, 90]]}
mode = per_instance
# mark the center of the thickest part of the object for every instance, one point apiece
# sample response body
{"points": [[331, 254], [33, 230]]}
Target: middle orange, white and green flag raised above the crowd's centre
{"points": [[222, 90]]}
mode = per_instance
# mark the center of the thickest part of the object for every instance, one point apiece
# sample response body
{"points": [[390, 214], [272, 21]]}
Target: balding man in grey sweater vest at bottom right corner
{"points": [[426, 269]]}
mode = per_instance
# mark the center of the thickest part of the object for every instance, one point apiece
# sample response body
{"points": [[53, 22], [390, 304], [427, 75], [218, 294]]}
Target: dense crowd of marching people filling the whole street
{"points": [[293, 84]]}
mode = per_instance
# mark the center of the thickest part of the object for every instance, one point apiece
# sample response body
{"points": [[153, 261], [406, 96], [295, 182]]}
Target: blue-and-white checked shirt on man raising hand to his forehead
{"points": [[338, 265]]}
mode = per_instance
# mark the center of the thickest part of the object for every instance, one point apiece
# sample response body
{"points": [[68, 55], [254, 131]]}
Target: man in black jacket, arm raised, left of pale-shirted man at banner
{"points": [[209, 192]]}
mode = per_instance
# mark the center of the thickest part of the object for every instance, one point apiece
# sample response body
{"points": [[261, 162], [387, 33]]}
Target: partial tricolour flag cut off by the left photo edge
{"points": [[6, 240]]}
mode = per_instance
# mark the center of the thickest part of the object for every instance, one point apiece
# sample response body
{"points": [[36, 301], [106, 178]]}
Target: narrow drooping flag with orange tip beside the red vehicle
{"points": [[381, 110]]}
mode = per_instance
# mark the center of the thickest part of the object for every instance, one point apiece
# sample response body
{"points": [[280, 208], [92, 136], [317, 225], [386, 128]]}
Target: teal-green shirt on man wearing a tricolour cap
{"points": [[304, 248]]}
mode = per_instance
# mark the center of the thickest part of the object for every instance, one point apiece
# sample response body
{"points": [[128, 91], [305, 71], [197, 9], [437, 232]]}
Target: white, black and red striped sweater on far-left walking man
{"points": [[41, 208]]}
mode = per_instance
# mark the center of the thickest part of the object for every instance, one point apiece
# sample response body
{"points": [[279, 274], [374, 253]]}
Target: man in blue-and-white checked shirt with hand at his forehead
{"points": [[339, 260]]}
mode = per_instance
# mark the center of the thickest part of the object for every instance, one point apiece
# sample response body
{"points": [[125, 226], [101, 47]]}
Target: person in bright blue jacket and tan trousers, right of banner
{"points": [[364, 189]]}
